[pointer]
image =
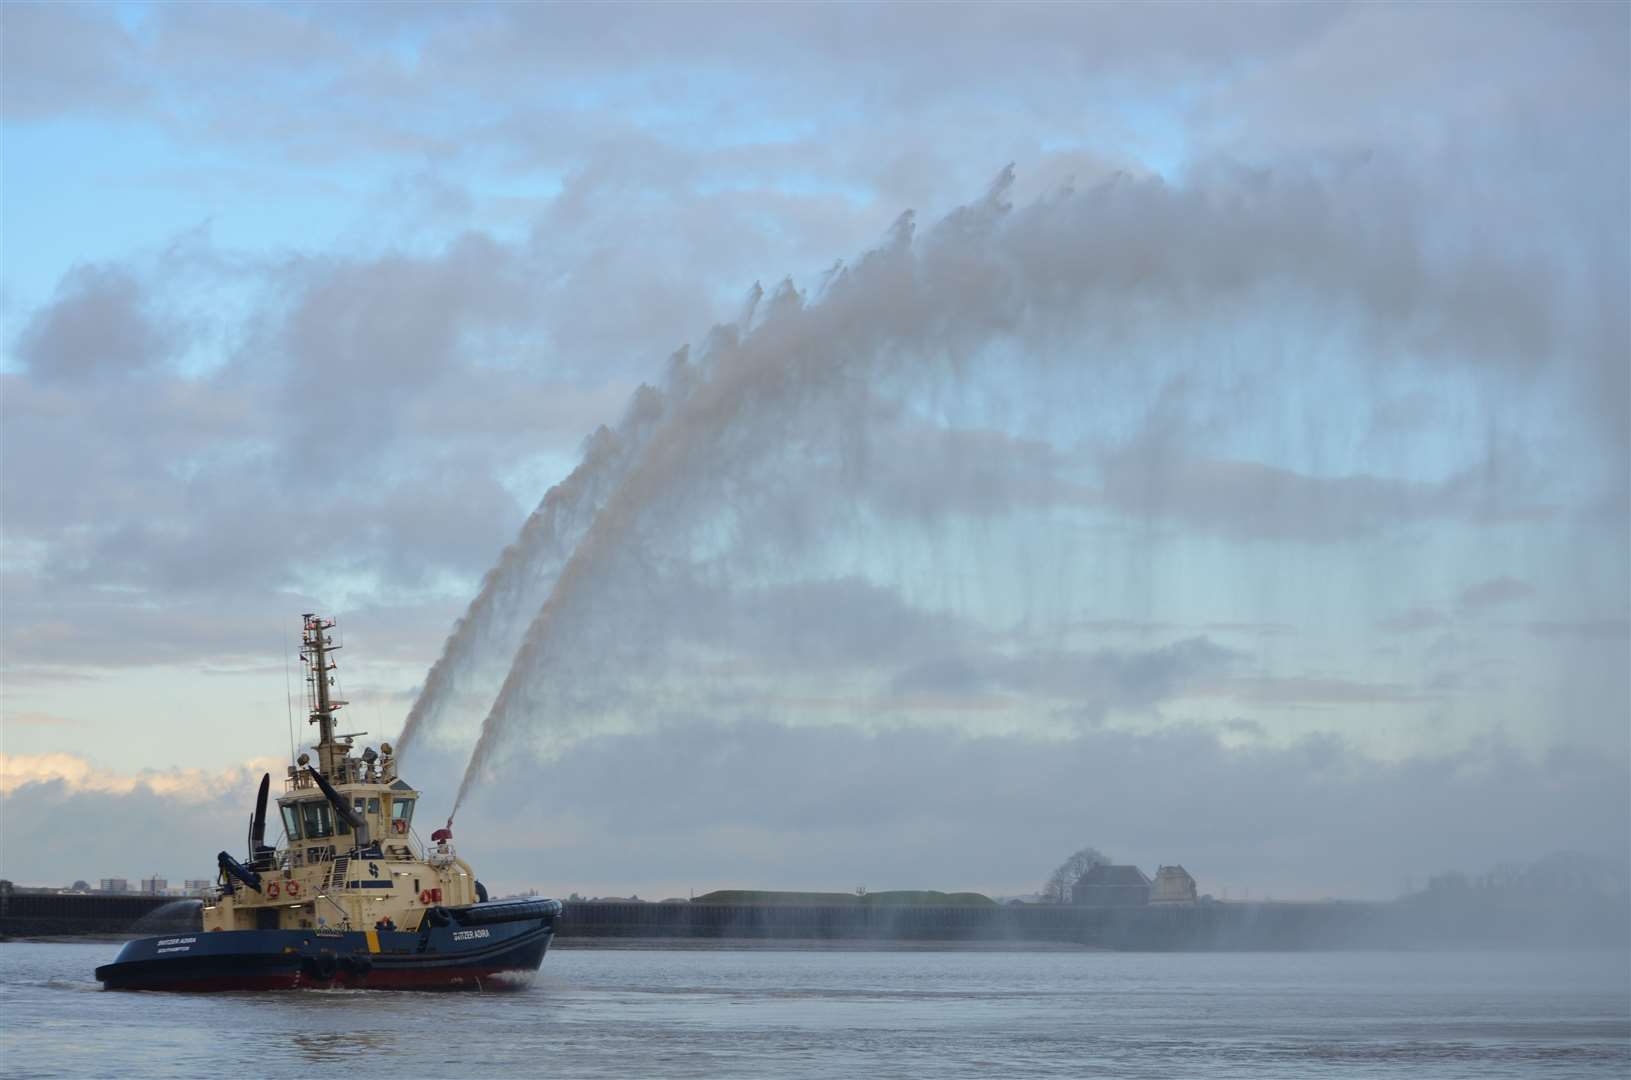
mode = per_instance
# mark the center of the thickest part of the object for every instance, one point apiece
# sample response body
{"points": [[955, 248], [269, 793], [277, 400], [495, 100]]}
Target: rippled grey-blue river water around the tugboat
{"points": [[722, 1012]]}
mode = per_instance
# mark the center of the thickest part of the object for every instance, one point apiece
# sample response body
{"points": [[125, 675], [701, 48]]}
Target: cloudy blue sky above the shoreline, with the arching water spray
{"points": [[818, 446]]}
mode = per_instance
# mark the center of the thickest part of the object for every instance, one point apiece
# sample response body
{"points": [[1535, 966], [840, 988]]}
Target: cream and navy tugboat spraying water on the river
{"points": [[351, 898]]}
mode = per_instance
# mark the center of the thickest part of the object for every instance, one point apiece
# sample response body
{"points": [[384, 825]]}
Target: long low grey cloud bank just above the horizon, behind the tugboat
{"points": [[916, 808]]}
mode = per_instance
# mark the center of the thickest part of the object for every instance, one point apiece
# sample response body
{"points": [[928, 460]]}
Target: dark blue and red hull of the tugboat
{"points": [[484, 947]]}
